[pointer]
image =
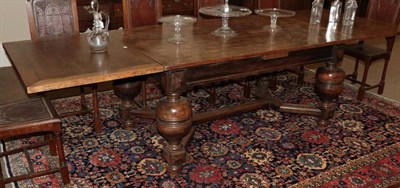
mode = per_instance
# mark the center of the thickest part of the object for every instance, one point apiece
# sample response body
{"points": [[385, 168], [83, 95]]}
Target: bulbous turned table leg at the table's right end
{"points": [[328, 85]]}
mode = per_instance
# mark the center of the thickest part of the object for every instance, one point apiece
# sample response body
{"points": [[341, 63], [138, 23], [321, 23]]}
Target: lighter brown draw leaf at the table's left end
{"points": [[75, 65]]}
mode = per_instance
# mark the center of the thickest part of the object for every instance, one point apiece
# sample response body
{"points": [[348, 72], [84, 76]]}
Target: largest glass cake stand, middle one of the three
{"points": [[225, 11]]}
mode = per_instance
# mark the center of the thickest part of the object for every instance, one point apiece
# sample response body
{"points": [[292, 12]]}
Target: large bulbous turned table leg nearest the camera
{"points": [[174, 122]]}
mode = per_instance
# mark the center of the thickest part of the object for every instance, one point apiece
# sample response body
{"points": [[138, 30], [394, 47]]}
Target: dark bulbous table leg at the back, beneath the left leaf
{"points": [[127, 90]]}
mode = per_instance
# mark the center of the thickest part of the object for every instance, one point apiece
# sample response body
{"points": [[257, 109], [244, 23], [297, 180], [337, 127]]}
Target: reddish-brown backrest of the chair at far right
{"points": [[387, 11]]}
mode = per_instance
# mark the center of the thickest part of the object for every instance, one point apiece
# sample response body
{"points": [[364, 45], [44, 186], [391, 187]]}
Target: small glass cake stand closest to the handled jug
{"points": [[177, 21]]}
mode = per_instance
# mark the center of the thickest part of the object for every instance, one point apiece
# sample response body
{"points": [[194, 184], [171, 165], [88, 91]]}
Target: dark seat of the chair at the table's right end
{"points": [[366, 53]]}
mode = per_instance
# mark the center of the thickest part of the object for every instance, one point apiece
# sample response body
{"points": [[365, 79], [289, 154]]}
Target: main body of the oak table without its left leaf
{"points": [[209, 59]]}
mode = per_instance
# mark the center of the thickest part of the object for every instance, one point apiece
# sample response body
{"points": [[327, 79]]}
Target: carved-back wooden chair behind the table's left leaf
{"points": [[49, 18]]}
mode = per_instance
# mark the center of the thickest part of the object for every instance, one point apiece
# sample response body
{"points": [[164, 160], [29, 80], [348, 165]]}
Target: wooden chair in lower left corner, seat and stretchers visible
{"points": [[27, 117]]}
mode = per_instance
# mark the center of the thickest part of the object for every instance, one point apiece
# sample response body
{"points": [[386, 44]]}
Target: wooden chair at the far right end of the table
{"points": [[385, 11]]}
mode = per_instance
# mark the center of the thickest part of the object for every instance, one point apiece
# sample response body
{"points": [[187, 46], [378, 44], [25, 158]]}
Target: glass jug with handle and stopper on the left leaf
{"points": [[98, 37]]}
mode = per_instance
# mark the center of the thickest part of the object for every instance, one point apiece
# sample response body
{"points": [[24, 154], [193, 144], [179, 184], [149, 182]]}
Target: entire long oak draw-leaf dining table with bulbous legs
{"points": [[134, 55]]}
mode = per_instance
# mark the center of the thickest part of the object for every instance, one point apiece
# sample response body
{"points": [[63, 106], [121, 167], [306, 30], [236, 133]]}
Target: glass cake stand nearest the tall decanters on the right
{"points": [[274, 14]]}
